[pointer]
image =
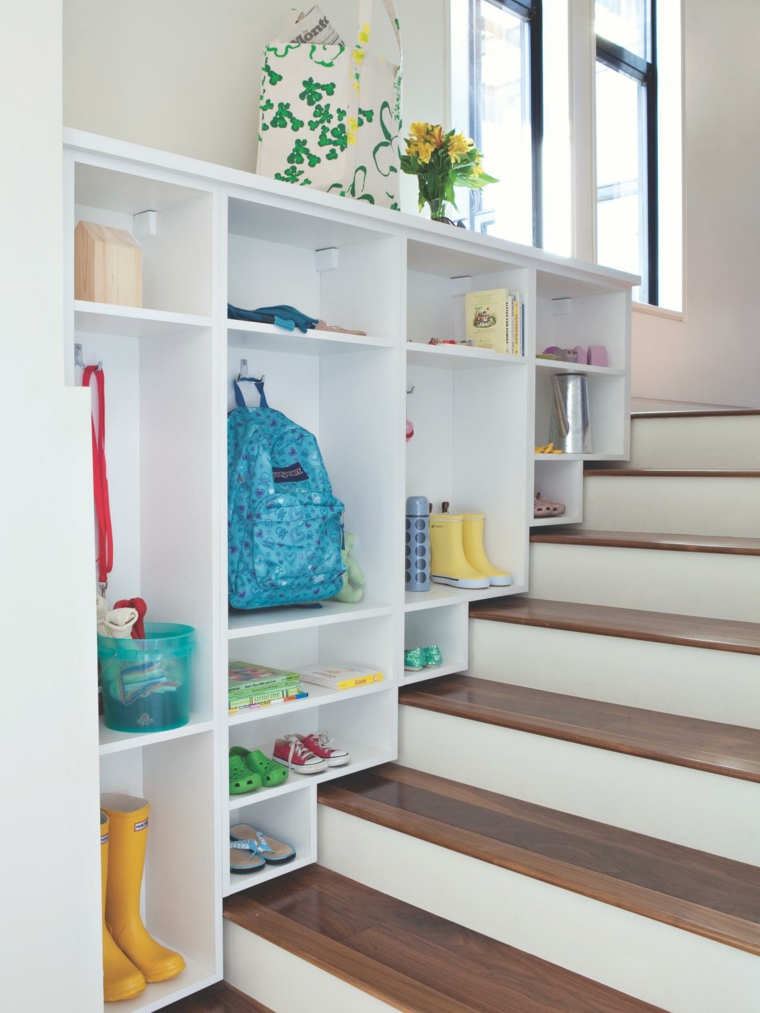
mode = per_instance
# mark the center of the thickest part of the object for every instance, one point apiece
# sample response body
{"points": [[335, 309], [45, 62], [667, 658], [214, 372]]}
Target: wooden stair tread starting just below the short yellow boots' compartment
{"points": [[632, 625]]}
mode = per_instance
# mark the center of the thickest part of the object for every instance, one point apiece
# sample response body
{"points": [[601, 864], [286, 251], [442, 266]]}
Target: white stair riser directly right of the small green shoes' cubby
{"points": [[712, 685]]}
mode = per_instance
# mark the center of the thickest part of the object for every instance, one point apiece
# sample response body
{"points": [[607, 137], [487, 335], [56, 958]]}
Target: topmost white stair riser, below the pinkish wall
{"points": [[728, 442]]}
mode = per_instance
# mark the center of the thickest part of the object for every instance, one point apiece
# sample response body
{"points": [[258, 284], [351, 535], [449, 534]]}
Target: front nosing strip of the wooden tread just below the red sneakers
{"points": [[597, 887]]}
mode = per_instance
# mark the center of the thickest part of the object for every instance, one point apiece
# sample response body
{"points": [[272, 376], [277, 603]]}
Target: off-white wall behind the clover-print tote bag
{"points": [[185, 75]]}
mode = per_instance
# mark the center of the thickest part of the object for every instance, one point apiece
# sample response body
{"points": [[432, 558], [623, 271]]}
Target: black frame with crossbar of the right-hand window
{"points": [[645, 72]]}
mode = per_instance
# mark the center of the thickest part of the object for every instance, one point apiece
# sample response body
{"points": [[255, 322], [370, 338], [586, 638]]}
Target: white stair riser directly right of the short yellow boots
{"points": [[695, 584]]}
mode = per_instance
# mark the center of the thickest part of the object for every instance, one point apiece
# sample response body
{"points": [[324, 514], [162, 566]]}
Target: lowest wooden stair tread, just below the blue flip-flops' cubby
{"points": [[408, 958]]}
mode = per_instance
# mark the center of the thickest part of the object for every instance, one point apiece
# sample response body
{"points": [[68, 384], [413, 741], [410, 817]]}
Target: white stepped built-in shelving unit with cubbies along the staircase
{"points": [[229, 237]]}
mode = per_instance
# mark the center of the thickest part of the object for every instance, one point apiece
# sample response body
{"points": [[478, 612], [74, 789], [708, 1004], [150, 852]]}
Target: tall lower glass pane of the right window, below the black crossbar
{"points": [[620, 162]]}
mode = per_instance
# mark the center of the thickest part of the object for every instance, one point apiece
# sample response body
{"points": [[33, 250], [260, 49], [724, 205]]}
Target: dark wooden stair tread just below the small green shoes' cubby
{"points": [[686, 742]]}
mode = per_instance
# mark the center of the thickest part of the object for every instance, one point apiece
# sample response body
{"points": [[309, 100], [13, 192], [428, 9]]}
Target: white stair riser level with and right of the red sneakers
{"points": [[693, 808]]}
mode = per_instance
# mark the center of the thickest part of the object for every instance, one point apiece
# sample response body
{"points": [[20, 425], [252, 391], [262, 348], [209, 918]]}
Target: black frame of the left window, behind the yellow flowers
{"points": [[530, 12]]}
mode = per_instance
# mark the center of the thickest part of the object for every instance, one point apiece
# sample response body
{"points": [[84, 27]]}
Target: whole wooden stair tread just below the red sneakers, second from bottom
{"points": [[703, 894]]}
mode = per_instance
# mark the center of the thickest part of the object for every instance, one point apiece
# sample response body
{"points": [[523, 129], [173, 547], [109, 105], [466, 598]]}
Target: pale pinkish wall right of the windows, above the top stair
{"points": [[714, 355]]}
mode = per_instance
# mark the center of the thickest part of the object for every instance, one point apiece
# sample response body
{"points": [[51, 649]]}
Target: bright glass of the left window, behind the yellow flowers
{"points": [[501, 123]]}
